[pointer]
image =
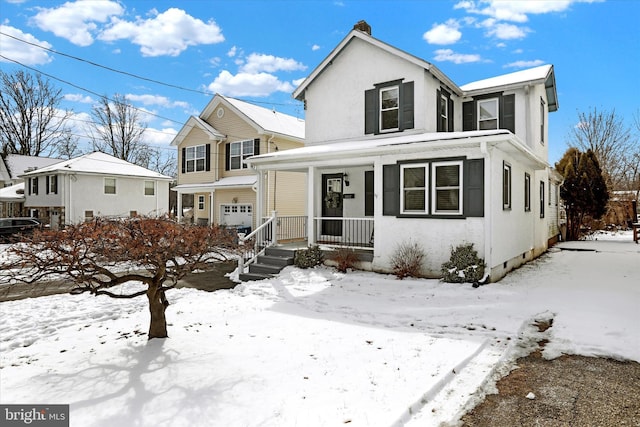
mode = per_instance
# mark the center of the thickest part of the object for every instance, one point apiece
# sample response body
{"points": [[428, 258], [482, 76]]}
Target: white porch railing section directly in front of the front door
{"points": [[347, 232]]}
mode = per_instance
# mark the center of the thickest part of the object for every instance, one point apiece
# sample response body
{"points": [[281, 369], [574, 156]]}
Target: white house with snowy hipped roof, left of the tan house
{"points": [[95, 184]]}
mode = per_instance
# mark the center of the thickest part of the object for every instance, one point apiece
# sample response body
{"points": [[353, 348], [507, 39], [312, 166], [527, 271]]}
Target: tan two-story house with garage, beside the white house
{"points": [[212, 149]]}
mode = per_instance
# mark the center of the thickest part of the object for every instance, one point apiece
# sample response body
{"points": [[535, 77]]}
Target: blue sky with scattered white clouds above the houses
{"points": [[260, 50]]}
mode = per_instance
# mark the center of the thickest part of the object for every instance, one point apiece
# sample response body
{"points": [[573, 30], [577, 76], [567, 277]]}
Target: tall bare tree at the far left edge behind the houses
{"points": [[31, 123]]}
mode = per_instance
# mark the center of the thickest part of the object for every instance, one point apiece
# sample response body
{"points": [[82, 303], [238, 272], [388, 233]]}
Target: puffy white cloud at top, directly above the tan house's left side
{"points": [[168, 33]]}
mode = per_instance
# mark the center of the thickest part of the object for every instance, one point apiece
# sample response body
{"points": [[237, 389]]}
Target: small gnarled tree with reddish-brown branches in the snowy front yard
{"points": [[102, 254]]}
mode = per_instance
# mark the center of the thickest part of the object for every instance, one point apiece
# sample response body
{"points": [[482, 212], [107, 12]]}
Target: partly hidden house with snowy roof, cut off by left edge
{"points": [[12, 166]]}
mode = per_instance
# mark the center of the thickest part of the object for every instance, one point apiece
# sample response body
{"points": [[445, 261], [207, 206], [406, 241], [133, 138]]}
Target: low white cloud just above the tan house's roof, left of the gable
{"points": [[247, 84]]}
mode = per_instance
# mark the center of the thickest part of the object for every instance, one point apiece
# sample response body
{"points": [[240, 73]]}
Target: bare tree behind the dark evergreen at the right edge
{"points": [[604, 133]]}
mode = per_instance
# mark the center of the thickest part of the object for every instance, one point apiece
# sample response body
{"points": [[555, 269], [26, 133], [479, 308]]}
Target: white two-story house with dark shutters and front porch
{"points": [[396, 151]]}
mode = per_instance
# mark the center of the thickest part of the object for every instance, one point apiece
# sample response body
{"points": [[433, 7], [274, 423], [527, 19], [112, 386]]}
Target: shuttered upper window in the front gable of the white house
{"points": [[388, 107]]}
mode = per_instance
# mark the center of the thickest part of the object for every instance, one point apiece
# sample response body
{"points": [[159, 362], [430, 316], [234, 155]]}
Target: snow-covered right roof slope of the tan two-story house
{"points": [[268, 119]]}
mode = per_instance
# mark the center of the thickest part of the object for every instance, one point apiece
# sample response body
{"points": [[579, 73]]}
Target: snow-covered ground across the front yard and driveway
{"points": [[316, 347]]}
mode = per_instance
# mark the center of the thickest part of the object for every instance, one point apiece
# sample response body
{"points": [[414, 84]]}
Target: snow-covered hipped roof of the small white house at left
{"points": [[99, 163]]}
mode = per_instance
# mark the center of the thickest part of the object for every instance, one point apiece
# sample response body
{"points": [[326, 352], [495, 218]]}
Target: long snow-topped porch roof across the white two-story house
{"points": [[360, 151]]}
